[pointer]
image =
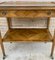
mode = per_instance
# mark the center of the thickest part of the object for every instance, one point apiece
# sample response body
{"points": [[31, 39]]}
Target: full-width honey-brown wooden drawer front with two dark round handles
{"points": [[26, 13]]}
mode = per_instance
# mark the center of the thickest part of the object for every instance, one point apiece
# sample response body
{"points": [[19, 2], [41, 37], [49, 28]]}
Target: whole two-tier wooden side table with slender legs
{"points": [[26, 10]]}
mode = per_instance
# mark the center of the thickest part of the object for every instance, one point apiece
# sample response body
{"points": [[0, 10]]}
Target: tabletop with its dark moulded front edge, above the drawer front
{"points": [[27, 5]]}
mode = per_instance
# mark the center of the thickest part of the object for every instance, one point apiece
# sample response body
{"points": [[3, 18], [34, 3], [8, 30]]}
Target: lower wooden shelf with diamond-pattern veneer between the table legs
{"points": [[27, 35]]}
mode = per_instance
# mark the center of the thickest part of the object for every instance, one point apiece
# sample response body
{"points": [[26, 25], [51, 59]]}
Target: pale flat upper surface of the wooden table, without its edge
{"points": [[24, 3]]}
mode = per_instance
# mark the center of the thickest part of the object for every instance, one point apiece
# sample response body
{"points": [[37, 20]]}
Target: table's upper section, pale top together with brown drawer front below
{"points": [[27, 9]]}
